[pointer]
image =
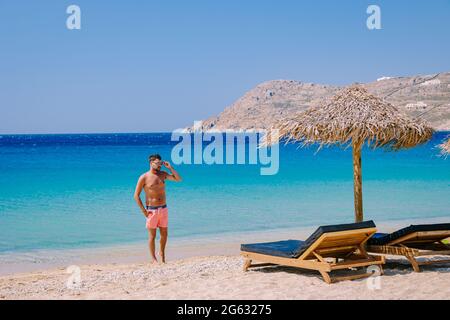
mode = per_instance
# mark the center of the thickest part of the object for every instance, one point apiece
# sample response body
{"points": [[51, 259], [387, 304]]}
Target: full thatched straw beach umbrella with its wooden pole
{"points": [[351, 118]]}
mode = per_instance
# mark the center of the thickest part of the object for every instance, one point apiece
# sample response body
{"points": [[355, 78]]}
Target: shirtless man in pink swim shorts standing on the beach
{"points": [[155, 210]]}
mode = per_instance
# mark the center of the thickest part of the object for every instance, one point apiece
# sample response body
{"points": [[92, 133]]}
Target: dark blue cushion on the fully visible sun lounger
{"points": [[294, 248]]}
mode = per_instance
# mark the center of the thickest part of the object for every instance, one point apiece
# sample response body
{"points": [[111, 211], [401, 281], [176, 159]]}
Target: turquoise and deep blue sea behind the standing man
{"points": [[76, 191]]}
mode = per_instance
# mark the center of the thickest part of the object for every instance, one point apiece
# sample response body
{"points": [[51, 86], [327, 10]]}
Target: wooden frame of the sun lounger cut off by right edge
{"points": [[417, 244]]}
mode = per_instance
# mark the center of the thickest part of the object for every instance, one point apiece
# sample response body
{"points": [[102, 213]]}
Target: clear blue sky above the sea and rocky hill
{"points": [[143, 66]]}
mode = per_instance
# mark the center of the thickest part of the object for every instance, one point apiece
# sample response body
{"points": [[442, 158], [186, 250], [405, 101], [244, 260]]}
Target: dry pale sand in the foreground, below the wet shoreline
{"points": [[221, 277]]}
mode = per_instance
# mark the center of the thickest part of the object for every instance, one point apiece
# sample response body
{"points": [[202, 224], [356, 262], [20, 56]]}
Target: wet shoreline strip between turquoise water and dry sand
{"points": [[177, 248]]}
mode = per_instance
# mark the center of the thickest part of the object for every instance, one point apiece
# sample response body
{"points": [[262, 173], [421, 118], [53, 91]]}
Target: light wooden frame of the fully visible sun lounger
{"points": [[347, 248]]}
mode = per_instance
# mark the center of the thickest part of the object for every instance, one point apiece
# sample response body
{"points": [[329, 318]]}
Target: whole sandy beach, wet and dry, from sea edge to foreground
{"points": [[208, 268]]}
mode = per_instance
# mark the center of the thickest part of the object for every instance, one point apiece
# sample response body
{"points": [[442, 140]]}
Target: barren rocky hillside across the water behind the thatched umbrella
{"points": [[425, 96]]}
